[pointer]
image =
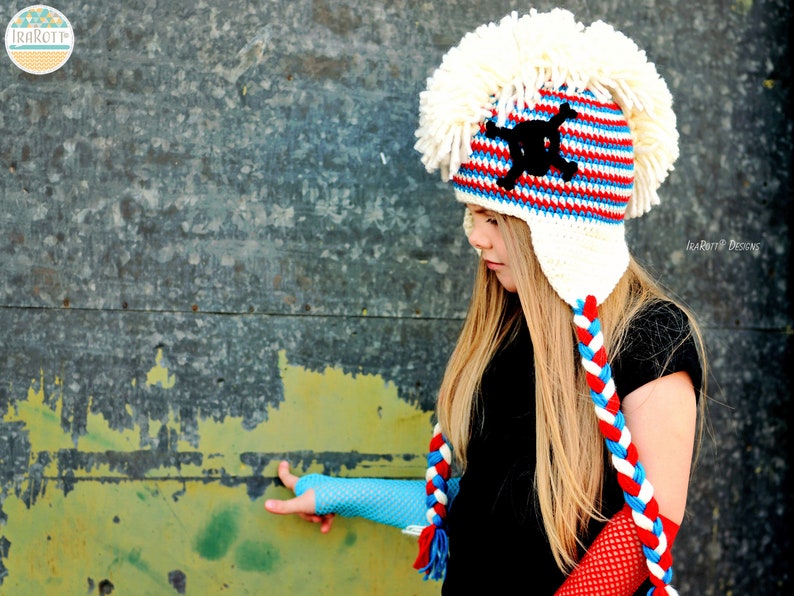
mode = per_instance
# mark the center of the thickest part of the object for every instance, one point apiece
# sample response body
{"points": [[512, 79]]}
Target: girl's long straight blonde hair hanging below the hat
{"points": [[570, 450]]}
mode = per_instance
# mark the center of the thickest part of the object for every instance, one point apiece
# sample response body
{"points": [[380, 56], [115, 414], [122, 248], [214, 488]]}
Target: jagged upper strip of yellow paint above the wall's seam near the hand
{"points": [[317, 406]]}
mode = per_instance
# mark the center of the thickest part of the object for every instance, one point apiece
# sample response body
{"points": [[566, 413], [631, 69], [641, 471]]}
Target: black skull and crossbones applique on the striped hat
{"points": [[534, 147]]}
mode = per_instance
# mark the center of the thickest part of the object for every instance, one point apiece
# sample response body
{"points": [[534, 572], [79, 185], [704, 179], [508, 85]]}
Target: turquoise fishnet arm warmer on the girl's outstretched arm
{"points": [[398, 503]]}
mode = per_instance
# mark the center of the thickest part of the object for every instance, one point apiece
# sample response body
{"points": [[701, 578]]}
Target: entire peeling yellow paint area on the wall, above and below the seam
{"points": [[189, 519]]}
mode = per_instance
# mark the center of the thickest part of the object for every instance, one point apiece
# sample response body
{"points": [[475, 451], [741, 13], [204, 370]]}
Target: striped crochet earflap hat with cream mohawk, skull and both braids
{"points": [[570, 129]]}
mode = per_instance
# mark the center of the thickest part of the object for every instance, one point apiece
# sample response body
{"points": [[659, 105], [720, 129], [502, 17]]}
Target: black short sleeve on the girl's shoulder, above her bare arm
{"points": [[658, 342]]}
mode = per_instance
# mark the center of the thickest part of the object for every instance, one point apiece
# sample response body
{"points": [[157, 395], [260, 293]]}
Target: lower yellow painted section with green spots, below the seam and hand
{"points": [[106, 532]]}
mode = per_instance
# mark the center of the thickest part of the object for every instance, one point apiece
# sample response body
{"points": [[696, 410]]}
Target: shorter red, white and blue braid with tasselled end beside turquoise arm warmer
{"points": [[433, 543]]}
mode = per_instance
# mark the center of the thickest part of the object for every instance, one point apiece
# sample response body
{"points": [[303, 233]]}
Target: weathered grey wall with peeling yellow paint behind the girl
{"points": [[219, 249]]}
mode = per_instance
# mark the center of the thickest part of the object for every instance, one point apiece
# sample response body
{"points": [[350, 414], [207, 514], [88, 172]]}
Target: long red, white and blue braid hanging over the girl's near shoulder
{"points": [[637, 490]]}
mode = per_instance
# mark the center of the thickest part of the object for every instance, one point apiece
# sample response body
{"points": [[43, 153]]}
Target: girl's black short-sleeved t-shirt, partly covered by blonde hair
{"points": [[496, 537]]}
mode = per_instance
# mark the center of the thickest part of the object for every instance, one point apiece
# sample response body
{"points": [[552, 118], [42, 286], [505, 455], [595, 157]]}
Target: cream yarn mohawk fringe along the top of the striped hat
{"points": [[507, 63]]}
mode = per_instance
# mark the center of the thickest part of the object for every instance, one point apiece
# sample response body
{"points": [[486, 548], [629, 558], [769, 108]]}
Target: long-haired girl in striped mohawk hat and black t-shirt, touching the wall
{"points": [[551, 134]]}
